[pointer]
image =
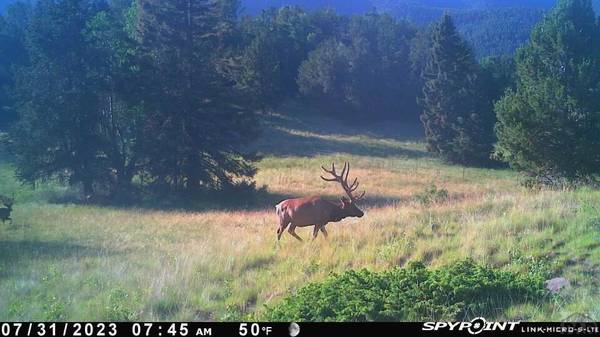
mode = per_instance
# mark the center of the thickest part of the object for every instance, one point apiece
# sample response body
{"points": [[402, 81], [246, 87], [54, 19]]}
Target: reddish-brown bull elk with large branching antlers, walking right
{"points": [[316, 211]]}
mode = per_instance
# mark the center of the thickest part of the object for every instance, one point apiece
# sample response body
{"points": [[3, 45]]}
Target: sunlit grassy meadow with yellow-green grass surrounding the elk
{"points": [[65, 261]]}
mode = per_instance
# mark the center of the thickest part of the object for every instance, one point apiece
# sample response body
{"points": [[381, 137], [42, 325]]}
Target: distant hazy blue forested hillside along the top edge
{"points": [[492, 27]]}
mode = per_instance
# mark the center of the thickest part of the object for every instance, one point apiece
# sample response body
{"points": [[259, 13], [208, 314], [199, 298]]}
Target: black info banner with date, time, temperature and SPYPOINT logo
{"points": [[477, 326]]}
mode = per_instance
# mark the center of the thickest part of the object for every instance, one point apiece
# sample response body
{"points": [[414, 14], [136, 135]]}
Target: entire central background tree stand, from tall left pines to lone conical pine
{"points": [[357, 67]]}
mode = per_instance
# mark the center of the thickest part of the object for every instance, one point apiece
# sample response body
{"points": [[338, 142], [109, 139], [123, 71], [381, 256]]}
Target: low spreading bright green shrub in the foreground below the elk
{"points": [[463, 289]]}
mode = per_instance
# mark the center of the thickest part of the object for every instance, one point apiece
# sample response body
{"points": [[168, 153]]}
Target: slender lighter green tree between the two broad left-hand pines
{"points": [[115, 72]]}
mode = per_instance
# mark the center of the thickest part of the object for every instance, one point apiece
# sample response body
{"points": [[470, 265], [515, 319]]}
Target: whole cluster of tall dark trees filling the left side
{"points": [[113, 92]]}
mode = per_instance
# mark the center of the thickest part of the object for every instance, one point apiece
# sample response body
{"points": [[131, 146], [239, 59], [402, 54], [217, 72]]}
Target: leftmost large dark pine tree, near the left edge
{"points": [[59, 108]]}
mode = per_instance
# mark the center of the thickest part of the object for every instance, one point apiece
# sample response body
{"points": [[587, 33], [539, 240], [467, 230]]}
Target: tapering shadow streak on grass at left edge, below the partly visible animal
{"points": [[15, 252]]}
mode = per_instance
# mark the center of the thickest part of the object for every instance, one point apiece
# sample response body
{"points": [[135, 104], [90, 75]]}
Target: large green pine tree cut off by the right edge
{"points": [[549, 126]]}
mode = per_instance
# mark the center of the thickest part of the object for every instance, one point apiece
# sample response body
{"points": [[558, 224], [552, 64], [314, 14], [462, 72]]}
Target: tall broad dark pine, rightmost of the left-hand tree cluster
{"points": [[194, 135]]}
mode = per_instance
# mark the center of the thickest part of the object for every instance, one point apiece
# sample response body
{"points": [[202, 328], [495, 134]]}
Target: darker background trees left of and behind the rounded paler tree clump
{"points": [[274, 45]]}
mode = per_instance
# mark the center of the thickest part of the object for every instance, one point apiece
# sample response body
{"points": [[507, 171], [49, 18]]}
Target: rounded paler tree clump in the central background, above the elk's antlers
{"points": [[365, 72]]}
